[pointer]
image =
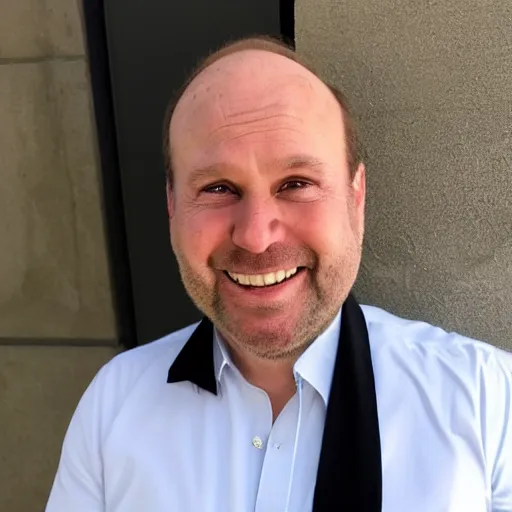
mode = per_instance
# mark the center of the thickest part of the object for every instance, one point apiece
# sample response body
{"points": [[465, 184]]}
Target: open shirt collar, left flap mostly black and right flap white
{"points": [[204, 357]]}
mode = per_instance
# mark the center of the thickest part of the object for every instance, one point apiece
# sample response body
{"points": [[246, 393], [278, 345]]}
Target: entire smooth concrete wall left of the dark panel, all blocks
{"points": [[54, 279]]}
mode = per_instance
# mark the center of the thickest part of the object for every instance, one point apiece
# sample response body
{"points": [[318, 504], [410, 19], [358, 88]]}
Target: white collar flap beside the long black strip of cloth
{"points": [[316, 364]]}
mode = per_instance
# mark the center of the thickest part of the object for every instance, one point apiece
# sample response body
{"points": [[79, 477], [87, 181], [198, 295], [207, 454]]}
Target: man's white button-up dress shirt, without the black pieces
{"points": [[137, 443]]}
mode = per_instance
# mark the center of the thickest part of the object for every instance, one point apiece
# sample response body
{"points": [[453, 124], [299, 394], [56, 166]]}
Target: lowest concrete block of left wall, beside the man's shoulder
{"points": [[39, 390]]}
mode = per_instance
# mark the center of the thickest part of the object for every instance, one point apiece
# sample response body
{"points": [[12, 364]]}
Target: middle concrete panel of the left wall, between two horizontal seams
{"points": [[53, 260]]}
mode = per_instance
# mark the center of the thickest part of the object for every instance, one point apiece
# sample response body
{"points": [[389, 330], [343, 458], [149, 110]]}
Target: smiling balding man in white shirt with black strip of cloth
{"points": [[287, 396]]}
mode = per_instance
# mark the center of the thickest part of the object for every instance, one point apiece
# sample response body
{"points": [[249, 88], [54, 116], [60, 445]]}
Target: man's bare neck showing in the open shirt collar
{"points": [[275, 377]]}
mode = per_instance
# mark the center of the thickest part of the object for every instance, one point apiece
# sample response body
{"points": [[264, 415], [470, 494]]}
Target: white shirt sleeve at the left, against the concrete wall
{"points": [[78, 484]]}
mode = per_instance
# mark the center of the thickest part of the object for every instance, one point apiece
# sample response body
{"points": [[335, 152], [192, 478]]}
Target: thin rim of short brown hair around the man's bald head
{"points": [[278, 47]]}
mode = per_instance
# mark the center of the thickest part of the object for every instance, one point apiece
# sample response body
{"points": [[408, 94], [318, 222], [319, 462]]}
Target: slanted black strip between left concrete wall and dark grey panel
{"points": [[113, 208]]}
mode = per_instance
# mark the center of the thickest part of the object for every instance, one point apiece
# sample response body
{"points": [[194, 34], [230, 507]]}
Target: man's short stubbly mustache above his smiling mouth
{"points": [[278, 255]]}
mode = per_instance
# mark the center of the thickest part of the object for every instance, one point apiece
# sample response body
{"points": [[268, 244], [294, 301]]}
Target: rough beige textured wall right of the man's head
{"points": [[430, 84]]}
